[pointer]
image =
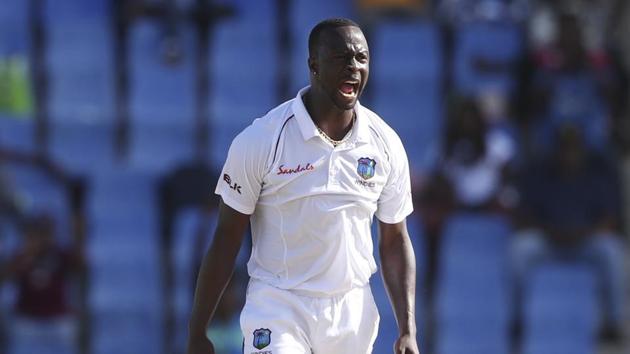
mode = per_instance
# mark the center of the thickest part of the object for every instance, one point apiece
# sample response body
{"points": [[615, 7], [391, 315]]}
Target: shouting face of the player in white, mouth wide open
{"points": [[342, 65]]}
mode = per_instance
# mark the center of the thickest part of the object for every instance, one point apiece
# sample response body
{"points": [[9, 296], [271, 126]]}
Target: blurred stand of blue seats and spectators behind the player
{"points": [[115, 116]]}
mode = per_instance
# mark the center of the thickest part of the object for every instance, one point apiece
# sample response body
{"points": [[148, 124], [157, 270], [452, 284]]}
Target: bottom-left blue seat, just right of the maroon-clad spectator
{"points": [[126, 289]]}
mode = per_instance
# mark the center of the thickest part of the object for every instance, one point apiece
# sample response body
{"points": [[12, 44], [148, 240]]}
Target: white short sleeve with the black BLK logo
{"points": [[241, 179]]}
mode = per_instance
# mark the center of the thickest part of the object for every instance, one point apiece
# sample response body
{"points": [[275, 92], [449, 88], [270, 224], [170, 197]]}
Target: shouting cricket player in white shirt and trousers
{"points": [[309, 176]]}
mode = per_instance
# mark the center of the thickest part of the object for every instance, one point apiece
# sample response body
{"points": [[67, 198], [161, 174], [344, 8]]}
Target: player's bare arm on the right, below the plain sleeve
{"points": [[398, 266]]}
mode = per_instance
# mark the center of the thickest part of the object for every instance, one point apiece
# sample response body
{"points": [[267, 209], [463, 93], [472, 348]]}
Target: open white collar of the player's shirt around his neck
{"points": [[360, 133]]}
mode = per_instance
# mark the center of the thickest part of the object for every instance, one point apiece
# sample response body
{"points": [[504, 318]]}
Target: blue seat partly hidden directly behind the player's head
{"points": [[305, 14]]}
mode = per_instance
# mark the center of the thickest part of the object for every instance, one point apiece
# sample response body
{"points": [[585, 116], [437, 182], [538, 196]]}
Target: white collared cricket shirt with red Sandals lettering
{"points": [[312, 204]]}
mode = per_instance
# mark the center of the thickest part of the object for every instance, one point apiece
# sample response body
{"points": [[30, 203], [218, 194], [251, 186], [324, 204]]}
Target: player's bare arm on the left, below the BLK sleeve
{"points": [[215, 273]]}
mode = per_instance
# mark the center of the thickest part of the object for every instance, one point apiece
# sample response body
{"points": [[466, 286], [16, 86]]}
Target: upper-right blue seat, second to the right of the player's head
{"points": [[500, 42]]}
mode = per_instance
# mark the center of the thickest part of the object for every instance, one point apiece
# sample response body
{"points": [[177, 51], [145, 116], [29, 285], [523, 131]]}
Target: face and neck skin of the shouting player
{"points": [[339, 71]]}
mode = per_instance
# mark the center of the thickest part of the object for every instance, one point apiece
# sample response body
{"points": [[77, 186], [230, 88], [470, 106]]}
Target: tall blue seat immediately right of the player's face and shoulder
{"points": [[407, 93]]}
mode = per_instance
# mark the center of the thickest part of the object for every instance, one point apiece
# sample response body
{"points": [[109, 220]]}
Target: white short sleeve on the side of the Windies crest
{"points": [[395, 202]]}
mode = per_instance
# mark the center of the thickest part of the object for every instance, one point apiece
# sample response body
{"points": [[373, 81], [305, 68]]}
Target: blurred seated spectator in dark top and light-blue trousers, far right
{"points": [[569, 211]]}
